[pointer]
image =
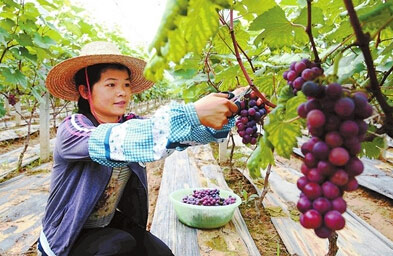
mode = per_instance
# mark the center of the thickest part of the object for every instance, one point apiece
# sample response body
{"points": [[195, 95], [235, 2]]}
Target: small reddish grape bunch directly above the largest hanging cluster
{"points": [[300, 72]]}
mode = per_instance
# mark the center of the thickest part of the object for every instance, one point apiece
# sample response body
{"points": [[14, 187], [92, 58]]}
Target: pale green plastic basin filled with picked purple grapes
{"points": [[204, 208]]}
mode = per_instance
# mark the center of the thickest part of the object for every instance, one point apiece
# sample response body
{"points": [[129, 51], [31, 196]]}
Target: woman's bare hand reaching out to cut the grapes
{"points": [[214, 110]]}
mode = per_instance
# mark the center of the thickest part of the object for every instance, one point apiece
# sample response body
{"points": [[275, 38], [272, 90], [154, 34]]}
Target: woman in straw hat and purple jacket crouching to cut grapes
{"points": [[98, 194]]}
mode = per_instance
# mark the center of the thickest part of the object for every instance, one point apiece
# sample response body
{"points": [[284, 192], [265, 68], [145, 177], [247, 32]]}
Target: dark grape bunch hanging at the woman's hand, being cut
{"points": [[252, 110]]}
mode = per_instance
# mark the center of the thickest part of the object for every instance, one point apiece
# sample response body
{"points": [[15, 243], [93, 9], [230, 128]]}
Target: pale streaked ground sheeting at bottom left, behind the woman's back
{"points": [[22, 204]]}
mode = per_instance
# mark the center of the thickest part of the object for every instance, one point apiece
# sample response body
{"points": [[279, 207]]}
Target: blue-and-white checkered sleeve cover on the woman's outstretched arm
{"points": [[173, 127]]}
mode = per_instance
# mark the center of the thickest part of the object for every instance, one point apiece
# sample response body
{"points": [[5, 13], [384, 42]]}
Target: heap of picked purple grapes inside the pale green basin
{"points": [[208, 197]]}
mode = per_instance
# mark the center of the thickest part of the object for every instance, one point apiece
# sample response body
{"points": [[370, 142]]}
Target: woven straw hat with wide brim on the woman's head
{"points": [[60, 80]]}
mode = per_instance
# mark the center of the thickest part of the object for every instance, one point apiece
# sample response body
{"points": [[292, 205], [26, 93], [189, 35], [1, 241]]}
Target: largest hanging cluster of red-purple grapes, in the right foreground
{"points": [[330, 165]]}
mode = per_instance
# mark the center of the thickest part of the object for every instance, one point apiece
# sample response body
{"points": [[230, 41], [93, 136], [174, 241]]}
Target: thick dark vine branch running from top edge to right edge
{"points": [[374, 86]]}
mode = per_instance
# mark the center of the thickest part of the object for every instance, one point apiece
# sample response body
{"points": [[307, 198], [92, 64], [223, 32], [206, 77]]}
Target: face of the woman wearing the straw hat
{"points": [[111, 95]]}
